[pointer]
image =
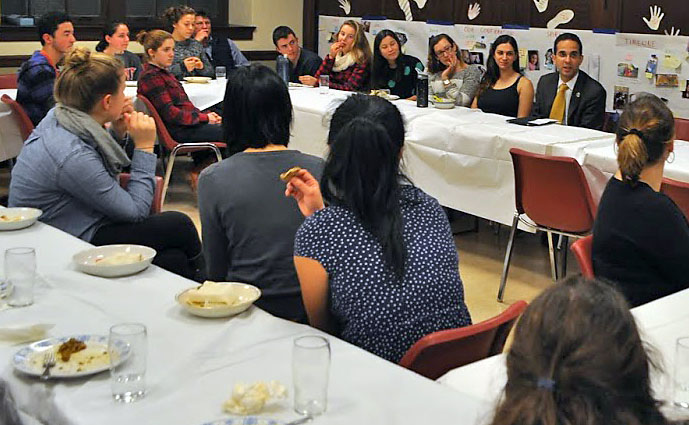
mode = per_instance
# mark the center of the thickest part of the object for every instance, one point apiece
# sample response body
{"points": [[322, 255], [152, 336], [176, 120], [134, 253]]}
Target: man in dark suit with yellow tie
{"points": [[570, 95]]}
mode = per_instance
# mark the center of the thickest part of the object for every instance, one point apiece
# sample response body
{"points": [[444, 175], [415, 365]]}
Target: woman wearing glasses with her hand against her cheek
{"points": [[451, 77]]}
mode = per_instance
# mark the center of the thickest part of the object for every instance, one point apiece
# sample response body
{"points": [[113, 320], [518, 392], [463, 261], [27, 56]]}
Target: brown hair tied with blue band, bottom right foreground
{"points": [[578, 359]]}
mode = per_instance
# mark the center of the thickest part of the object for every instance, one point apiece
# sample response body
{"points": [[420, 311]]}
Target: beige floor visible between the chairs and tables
{"points": [[481, 253]]}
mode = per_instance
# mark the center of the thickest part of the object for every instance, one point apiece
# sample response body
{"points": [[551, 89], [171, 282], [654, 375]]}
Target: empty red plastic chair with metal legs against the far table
{"points": [[554, 193]]}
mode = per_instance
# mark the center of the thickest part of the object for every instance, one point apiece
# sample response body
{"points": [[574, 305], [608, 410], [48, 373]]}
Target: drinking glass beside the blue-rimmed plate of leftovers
{"points": [[128, 379]]}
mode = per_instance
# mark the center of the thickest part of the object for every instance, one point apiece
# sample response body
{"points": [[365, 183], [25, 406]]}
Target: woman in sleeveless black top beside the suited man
{"points": [[503, 89]]}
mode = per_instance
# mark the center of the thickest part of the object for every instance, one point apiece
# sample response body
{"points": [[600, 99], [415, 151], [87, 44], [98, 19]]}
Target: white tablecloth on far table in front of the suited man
{"points": [[459, 156]]}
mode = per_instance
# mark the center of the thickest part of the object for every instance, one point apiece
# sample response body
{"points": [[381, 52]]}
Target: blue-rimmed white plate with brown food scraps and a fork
{"points": [[94, 359]]}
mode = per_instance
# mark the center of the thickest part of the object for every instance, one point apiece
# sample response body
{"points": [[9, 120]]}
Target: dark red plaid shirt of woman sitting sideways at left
{"points": [[169, 98]]}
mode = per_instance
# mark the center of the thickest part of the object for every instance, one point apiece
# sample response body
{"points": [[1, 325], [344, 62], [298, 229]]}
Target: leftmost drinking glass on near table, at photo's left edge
{"points": [[20, 272]]}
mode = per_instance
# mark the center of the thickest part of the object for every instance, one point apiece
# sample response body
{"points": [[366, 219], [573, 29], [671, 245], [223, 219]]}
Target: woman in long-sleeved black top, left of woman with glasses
{"points": [[392, 69]]}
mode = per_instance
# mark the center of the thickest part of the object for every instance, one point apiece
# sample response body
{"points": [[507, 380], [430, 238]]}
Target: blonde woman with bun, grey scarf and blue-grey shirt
{"points": [[69, 167]]}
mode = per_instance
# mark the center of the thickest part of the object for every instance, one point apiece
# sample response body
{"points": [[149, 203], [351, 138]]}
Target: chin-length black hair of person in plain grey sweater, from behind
{"points": [[257, 109]]}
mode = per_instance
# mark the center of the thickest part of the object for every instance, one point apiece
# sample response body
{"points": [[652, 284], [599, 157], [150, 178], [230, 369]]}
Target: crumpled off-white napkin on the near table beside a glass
{"points": [[250, 399]]}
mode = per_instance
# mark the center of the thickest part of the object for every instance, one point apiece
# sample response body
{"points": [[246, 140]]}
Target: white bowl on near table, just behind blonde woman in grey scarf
{"points": [[86, 260]]}
